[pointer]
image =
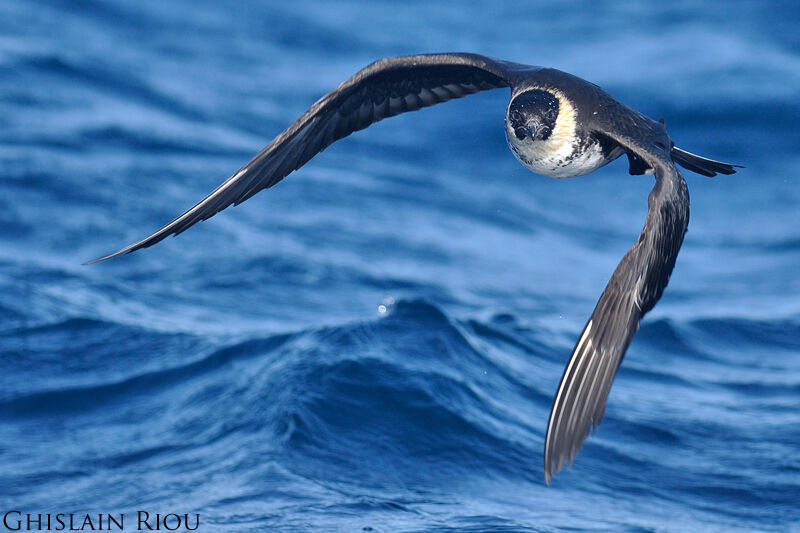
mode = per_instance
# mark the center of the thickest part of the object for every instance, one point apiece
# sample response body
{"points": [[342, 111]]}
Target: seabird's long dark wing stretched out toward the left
{"points": [[383, 89]]}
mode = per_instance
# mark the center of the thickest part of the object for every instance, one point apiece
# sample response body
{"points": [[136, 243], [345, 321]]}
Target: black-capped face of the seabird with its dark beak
{"points": [[531, 116]]}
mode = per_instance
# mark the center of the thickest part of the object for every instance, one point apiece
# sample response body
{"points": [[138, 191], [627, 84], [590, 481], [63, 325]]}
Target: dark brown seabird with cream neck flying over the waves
{"points": [[557, 125]]}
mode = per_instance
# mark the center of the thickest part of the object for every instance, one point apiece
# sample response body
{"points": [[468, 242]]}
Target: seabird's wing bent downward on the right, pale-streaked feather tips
{"points": [[634, 288]]}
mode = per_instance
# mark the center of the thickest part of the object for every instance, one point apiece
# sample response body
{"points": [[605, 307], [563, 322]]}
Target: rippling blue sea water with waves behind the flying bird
{"points": [[246, 371]]}
